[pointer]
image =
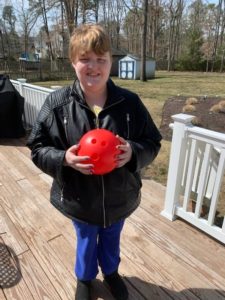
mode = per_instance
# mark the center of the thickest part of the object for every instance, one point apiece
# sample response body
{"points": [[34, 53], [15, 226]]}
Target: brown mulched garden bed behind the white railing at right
{"points": [[204, 117]]}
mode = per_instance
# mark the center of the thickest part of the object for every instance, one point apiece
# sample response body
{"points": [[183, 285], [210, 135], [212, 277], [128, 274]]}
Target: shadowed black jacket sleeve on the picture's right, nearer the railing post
{"points": [[147, 144]]}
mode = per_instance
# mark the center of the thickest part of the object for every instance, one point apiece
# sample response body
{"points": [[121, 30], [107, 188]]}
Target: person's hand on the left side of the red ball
{"points": [[77, 162]]}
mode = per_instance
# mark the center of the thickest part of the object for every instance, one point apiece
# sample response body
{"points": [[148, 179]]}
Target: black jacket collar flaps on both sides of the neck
{"points": [[113, 93]]}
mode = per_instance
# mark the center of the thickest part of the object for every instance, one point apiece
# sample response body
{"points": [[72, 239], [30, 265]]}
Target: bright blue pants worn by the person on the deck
{"points": [[97, 246]]}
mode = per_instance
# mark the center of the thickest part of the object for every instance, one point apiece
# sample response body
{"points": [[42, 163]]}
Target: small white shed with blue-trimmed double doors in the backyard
{"points": [[130, 67]]}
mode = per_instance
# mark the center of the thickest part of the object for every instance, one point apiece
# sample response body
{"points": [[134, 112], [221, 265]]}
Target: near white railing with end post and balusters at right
{"points": [[196, 173]]}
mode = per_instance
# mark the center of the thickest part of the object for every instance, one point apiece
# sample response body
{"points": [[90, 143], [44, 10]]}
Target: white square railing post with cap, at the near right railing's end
{"points": [[176, 164]]}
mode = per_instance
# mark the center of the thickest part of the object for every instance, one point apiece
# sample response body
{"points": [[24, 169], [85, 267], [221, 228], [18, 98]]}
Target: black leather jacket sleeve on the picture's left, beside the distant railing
{"points": [[45, 153]]}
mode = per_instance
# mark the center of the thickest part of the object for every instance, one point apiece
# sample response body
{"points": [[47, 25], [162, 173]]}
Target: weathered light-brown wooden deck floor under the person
{"points": [[160, 259]]}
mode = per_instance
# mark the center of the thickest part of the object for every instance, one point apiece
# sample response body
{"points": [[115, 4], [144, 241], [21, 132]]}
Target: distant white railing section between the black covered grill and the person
{"points": [[34, 98]]}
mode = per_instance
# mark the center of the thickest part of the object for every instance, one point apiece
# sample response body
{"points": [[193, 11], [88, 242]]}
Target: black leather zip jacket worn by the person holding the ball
{"points": [[63, 119]]}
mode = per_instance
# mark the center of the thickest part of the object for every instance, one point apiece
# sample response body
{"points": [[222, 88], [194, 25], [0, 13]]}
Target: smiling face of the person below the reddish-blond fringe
{"points": [[93, 71]]}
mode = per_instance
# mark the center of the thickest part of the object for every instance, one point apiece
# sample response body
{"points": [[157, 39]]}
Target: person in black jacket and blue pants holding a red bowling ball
{"points": [[97, 204]]}
